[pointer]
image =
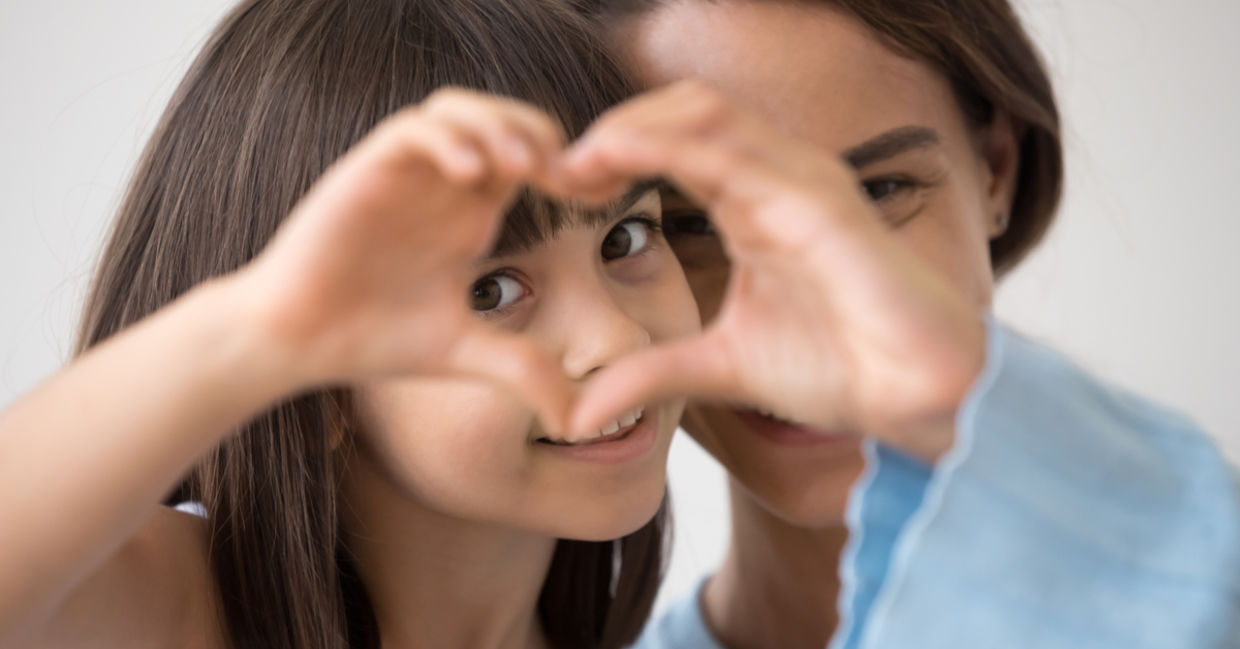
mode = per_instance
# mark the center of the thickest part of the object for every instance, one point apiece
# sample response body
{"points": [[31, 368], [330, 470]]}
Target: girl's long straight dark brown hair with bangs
{"points": [[282, 90]]}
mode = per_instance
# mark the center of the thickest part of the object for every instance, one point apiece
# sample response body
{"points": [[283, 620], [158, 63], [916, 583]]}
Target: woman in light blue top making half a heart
{"points": [[1043, 509]]}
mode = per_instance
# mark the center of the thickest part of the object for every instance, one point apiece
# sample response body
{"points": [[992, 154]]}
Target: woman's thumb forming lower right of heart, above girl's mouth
{"points": [[693, 368]]}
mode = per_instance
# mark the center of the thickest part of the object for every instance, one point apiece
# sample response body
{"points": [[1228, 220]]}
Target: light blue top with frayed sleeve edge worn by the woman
{"points": [[1069, 514]]}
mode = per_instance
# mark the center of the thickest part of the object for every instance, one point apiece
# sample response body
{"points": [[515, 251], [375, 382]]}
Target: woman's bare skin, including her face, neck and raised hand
{"points": [[778, 585]]}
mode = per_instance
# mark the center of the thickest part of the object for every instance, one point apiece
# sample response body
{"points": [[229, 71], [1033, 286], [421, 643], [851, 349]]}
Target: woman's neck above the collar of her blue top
{"points": [[778, 584]]}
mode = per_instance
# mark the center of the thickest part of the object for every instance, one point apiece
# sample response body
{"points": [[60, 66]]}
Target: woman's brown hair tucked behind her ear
{"points": [[985, 53]]}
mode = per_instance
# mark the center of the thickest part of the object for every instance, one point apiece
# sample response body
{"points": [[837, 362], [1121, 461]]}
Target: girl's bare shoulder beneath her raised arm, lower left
{"points": [[156, 591]]}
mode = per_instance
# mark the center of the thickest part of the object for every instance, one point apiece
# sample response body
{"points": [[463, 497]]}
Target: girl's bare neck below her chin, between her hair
{"points": [[442, 581]]}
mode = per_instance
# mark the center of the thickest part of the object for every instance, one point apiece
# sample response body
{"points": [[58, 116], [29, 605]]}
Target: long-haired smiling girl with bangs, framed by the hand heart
{"points": [[344, 383]]}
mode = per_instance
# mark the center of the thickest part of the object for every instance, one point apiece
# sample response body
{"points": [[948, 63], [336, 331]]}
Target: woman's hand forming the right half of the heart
{"points": [[828, 321]]}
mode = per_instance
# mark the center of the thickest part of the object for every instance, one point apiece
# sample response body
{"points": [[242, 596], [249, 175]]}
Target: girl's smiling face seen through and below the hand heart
{"points": [[596, 291]]}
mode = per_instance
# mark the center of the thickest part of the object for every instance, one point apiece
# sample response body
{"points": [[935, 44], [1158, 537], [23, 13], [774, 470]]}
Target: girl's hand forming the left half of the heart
{"points": [[370, 275]]}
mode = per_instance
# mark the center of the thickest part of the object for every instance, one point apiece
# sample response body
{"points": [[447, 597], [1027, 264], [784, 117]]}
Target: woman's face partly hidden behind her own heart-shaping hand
{"points": [[825, 79]]}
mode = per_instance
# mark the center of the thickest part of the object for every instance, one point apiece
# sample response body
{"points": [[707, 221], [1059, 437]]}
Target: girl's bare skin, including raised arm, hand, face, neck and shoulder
{"points": [[451, 501]]}
